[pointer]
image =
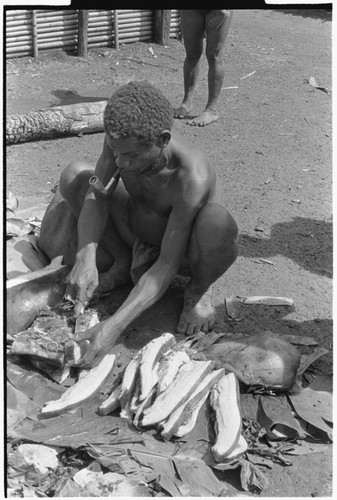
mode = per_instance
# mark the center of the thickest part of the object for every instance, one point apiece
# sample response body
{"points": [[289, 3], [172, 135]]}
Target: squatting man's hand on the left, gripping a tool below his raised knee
{"points": [[83, 280]]}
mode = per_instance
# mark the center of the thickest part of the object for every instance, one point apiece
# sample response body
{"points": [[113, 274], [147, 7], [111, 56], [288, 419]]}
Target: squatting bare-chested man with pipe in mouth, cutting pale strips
{"points": [[163, 214]]}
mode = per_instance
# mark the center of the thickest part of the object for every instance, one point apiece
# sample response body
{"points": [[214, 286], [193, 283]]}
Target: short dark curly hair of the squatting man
{"points": [[138, 110]]}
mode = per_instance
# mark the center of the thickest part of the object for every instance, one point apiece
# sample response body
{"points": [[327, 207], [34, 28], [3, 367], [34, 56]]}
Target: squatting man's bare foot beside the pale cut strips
{"points": [[198, 314]]}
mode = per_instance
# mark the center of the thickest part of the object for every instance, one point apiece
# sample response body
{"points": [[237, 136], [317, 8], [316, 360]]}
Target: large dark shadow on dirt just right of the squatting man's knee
{"points": [[308, 242]]}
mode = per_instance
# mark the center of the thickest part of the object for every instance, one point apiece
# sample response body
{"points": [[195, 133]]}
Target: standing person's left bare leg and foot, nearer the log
{"points": [[193, 28]]}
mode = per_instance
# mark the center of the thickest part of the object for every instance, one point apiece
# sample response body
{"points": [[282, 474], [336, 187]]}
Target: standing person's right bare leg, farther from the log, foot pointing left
{"points": [[215, 43]]}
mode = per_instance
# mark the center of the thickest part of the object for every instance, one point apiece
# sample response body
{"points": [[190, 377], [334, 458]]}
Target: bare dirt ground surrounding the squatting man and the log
{"points": [[272, 148]]}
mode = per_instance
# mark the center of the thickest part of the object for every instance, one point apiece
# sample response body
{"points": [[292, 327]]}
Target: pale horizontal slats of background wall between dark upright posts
{"points": [[57, 29]]}
